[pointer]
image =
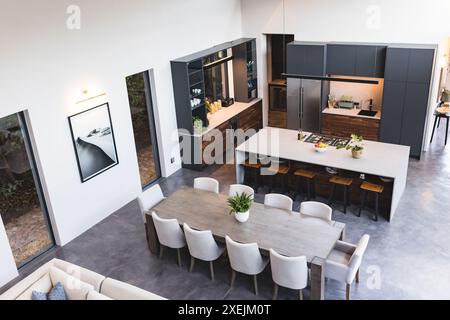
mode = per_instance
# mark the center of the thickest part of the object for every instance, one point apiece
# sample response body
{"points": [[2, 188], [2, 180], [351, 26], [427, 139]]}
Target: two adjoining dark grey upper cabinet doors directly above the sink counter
{"points": [[356, 60]]}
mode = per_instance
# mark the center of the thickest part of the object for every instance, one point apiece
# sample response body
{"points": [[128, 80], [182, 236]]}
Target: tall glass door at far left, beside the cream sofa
{"points": [[22, 204]]}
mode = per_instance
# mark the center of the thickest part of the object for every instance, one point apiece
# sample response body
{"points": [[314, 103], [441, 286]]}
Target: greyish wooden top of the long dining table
{"points": [[286, 232]]}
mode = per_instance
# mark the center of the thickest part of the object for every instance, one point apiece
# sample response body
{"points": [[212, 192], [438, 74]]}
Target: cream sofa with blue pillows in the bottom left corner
{"points": [[79, 284]]}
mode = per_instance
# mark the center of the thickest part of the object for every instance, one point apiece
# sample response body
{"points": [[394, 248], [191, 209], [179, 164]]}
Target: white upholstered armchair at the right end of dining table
{"points": [[344, 261]]}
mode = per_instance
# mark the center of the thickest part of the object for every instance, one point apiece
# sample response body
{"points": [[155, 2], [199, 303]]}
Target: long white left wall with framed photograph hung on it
{"points": [[44, 67]]}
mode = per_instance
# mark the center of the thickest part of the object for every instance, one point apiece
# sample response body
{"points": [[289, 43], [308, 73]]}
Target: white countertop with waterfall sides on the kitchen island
{"points": [[379, 159]]}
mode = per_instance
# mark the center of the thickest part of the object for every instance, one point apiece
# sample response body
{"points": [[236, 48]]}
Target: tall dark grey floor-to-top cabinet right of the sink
{"points": [[408, 72]]}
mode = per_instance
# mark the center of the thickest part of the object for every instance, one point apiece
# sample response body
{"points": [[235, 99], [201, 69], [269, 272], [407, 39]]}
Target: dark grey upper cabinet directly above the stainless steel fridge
{"points": [[305, 58]]}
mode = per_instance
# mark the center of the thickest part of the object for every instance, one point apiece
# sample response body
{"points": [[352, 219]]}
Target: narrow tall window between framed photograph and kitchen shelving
{"points": [[141, 107]]}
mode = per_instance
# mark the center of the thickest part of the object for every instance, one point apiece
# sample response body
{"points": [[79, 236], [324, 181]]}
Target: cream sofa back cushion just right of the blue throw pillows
{"points": [[74, 288]]}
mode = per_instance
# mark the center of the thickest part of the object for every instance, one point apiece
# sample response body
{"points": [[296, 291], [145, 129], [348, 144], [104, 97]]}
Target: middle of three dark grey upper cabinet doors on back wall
{"points": [[341, 59]]}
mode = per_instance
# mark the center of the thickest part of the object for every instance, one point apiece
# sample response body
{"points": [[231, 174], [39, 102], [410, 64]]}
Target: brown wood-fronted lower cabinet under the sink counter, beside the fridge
{"points": [[344, 126]]}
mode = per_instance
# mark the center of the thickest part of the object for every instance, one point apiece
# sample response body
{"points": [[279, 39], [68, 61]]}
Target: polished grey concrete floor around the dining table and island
{"points": [[406, 259]]}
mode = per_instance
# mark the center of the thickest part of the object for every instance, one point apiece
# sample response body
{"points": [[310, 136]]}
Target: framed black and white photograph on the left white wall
{"points": [[93, 139]]}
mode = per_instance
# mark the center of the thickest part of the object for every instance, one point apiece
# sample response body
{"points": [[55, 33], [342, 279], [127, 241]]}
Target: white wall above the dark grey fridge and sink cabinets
{"points": [[399, 21]]}
